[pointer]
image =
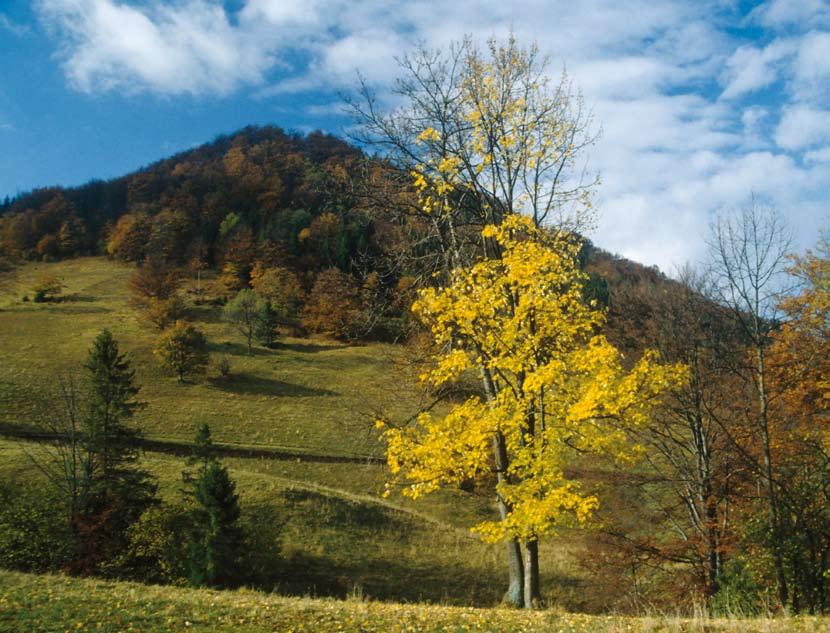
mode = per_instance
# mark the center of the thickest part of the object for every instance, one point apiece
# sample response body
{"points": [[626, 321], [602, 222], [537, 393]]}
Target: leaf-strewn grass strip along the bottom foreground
{"points": [[57, 603]]}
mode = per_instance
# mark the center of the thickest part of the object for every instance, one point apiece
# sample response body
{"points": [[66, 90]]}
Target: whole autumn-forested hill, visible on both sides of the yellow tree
{"points": [[259, 195]]}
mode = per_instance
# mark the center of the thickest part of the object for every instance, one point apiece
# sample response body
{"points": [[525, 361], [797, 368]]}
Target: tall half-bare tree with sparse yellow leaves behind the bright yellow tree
{"points": [[485, 134]]}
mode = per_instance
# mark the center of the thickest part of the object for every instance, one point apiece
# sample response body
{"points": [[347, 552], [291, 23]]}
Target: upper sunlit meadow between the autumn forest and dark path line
{"points": [[314, 395]]}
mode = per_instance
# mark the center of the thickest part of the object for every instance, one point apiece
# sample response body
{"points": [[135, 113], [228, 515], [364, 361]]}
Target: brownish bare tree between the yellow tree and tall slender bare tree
{"points": [[689, 450]]}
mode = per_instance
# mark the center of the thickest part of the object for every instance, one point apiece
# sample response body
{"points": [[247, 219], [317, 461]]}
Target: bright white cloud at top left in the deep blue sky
{"points": [[186, 48]]}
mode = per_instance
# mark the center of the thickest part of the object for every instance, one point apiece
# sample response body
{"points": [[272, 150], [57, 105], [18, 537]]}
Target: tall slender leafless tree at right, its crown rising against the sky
{"points": [[748, 252]]}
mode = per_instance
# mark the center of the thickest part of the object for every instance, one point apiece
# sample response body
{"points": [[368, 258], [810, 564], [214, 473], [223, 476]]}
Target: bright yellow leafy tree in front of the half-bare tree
{"points": [[553, 384]]}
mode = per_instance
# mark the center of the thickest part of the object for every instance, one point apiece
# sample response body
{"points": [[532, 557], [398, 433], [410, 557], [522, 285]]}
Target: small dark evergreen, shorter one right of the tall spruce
{"points": [[214, 539]]}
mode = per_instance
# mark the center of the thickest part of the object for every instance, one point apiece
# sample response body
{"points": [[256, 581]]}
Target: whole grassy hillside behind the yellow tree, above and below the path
{"points": [[338, 535]]}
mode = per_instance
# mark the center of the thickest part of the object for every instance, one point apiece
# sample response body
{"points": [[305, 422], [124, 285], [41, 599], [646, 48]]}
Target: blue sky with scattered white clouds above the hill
{"points": [[698, 104]]}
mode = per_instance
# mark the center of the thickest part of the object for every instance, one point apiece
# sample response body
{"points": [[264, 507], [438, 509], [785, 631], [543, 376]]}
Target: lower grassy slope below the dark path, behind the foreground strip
{"points": [[327, 541]]}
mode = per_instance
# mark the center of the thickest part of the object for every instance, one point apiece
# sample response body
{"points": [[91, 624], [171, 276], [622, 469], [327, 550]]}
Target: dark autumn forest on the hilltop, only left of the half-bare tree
{"points": [[261, 179]]}
